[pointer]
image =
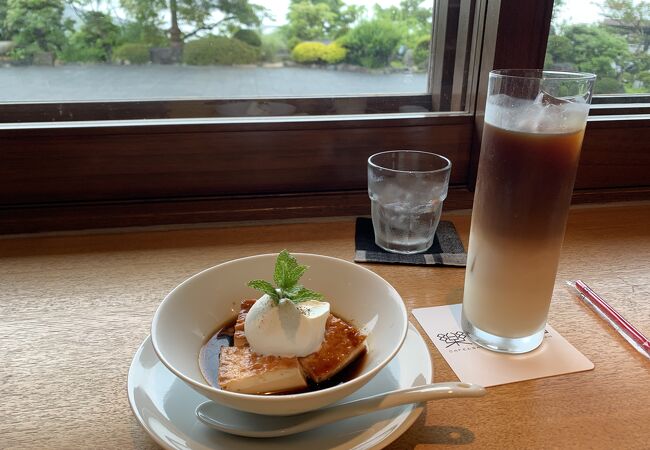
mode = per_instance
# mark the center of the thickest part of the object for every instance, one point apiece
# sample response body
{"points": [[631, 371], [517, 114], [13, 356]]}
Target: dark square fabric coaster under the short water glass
{"points": [[446, 250]]}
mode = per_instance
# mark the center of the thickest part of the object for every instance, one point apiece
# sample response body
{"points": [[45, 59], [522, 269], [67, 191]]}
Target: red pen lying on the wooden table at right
{"points": [[618, 322]]}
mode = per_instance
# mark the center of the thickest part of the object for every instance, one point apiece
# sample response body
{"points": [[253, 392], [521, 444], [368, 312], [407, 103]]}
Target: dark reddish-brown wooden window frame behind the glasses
{"points": [[62, 177]]}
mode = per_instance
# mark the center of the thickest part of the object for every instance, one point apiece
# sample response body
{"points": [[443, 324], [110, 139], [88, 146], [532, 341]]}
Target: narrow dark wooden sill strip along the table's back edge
{"points": [[97, 215]]}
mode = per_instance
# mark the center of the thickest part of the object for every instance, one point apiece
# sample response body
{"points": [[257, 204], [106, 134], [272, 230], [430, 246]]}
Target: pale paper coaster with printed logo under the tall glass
{"points": [[473, 364]]}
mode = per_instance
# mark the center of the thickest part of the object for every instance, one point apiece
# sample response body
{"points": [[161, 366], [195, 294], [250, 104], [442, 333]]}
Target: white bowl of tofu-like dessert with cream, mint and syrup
{"points": [[354, 299]]}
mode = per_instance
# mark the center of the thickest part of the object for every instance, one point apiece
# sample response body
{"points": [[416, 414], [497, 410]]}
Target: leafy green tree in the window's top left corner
{"points": [[35, 26]]}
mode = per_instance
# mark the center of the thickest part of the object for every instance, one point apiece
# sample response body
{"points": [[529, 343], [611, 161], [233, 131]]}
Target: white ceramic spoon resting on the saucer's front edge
{"points": [[258, 425]]}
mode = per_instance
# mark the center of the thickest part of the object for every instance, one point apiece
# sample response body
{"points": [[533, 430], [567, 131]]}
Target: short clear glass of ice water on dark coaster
{"points": [[406, 190]]}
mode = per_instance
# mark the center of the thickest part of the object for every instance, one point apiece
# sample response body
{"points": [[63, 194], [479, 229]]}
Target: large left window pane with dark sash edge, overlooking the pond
{"points": [[75, 51]]}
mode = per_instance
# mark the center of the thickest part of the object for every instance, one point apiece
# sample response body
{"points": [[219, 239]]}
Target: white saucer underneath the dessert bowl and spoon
{"points": [[164, 405]]}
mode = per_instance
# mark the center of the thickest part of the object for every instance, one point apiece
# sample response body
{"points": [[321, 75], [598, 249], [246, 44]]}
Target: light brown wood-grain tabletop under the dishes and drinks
{"points": [[75, 308]]}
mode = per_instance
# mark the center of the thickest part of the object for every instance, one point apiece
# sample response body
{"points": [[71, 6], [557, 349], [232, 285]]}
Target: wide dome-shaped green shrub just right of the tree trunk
{"points": [[219, 50]]}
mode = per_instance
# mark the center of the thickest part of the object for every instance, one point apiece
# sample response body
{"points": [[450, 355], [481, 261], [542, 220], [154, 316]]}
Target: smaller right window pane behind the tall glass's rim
{"points": [[610, 38]]}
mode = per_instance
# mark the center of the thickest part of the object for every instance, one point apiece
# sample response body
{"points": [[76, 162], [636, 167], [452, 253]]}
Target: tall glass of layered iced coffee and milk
{"points": [[534, 124]]}
